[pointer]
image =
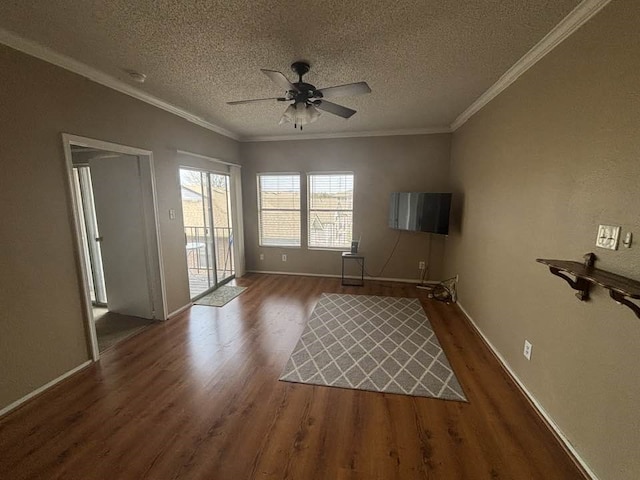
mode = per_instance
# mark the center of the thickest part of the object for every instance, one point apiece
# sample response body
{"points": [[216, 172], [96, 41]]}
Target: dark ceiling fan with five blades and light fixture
{"points": [[307, 100]]}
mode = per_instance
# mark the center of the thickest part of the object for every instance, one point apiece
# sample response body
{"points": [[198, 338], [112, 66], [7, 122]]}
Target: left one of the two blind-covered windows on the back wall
{"points": [[279, 210]]}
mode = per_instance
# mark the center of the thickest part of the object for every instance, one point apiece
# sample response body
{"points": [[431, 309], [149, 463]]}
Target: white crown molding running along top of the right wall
{"points": [[572, 22]]}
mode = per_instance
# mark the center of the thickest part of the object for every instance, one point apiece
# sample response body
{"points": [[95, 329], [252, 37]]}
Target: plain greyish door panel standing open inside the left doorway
{"points": [[117, 191]]}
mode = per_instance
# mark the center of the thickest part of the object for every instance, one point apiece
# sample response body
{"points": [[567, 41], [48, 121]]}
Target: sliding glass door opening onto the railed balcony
{"points": [[208, 229]]}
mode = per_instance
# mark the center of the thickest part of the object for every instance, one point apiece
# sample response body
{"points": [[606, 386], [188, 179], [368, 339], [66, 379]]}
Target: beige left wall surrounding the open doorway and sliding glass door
{"points": [[41, 327]]}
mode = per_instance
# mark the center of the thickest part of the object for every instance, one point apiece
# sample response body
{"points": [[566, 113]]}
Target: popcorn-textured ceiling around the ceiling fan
{"points": [[426, 61]]}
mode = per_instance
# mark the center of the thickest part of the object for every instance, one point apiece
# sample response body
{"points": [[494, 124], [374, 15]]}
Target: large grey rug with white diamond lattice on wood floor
{"points": [[381, 344]]}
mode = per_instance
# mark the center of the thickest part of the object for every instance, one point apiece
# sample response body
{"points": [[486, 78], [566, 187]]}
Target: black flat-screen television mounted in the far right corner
{"points": [[420, 212]]}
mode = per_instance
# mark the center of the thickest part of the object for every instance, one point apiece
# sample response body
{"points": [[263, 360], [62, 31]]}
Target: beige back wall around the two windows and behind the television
{"points": [[381, 165]]}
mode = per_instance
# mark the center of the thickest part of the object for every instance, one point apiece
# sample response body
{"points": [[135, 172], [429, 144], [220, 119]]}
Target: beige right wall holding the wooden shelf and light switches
{"points": [[540, 167]]}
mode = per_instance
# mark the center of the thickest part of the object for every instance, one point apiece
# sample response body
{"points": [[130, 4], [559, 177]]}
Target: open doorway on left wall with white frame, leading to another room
{"points": [[118, 246]]}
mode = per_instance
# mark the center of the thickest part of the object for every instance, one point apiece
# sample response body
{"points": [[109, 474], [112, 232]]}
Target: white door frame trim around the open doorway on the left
{"points": [[157, 278]]}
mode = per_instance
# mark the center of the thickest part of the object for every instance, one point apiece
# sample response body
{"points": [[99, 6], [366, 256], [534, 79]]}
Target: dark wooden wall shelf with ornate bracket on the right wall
{"points": [[620, 288]]}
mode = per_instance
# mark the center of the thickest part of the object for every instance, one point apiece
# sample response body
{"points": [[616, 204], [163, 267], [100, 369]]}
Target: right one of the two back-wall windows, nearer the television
{"points": [[330, 210]]}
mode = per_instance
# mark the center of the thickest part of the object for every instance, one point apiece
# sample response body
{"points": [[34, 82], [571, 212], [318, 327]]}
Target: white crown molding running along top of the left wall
{"points": [[48, 55]]}
